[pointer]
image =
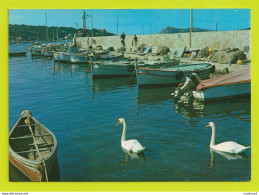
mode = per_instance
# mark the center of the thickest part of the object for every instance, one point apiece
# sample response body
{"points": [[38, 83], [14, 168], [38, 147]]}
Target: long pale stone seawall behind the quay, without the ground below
{"points": [[216, 40]]}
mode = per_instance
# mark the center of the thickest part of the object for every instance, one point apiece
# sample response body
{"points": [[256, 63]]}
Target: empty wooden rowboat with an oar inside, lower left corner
{"points": [[32, 148]]}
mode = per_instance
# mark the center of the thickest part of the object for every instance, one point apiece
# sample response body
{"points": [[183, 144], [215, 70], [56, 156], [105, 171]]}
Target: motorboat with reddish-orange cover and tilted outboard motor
{"points": [[237, 83]]}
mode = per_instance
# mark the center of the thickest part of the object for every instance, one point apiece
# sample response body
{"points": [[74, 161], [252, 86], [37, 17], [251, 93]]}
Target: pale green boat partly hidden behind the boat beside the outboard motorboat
{"points": [[125, 67]]}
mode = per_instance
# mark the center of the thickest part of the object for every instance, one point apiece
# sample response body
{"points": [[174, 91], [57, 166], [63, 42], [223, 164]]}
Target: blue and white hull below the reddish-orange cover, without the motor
{"points": [[223, 91]]}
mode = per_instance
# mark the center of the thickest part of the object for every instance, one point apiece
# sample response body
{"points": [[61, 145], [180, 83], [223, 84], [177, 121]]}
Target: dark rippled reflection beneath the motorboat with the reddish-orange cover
{"points": [[194, 109]]}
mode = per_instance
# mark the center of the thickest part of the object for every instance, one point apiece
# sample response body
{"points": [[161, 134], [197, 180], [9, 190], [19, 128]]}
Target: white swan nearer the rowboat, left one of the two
{"points": [[129, 145]]}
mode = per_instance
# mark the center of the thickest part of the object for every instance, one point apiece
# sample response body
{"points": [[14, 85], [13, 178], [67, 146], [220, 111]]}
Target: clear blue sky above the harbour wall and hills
{"points": [[135, 21]]}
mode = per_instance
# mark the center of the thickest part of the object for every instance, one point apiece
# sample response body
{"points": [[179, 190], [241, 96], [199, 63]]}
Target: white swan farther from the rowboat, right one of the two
{"points": [[229, 147]]}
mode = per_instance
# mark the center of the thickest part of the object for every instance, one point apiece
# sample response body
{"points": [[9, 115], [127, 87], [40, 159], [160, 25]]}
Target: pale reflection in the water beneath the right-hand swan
{"points": [[226, 155]]}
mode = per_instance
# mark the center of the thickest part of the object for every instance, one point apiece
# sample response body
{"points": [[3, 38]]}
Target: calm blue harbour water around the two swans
{"points": [[83, 113]]}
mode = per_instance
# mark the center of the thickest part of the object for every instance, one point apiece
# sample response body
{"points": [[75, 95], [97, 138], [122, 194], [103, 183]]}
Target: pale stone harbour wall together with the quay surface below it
{"points": [[216, 40]]}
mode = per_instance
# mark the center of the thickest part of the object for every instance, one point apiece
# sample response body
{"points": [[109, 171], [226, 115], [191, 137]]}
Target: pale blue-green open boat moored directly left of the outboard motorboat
{"points": [[172, 75]]}
